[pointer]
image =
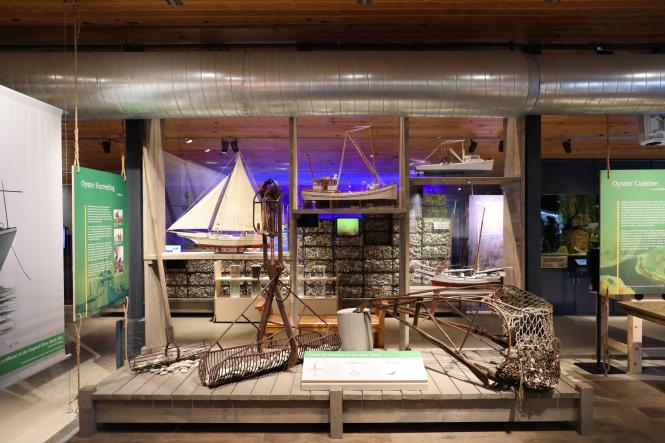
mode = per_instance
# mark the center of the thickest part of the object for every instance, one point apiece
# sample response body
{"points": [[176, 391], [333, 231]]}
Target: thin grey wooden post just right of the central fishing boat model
{"points": [[404, 234]]}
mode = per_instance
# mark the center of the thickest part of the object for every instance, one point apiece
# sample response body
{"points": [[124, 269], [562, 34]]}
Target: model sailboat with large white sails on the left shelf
{"points": [[223, 217]]}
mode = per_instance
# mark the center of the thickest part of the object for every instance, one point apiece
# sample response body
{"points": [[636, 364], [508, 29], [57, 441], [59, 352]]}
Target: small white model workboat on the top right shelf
{"points": [[467, 164]]}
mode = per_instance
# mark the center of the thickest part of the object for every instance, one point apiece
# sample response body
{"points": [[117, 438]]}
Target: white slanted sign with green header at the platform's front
{"points": [[364, 370]]}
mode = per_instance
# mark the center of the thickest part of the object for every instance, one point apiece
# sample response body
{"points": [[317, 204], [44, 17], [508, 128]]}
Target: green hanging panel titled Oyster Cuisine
{"points": [[632, 232]]}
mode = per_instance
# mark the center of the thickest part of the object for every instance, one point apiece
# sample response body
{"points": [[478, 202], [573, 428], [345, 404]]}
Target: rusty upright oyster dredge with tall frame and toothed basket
{"points": [[221, 365]]}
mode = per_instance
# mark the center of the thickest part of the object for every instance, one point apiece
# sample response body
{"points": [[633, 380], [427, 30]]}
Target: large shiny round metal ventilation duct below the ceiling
{"points": [[280, 83]]}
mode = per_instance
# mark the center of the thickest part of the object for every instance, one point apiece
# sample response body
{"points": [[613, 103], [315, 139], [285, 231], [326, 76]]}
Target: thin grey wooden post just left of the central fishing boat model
{"points": [[293, 222]]}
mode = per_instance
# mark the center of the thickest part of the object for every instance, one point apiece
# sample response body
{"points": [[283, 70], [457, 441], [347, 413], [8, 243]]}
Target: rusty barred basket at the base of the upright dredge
{"points": [[226, 365]]}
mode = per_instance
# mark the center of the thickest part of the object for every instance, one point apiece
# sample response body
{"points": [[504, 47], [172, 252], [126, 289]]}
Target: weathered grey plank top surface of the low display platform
{"points": [[448, 379]]}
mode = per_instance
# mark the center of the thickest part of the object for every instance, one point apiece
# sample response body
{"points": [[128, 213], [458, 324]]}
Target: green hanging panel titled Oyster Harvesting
{"points": [[99, 205]]}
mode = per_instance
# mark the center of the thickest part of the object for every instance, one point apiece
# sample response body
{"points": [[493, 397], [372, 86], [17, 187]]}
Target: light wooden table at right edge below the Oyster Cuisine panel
{"points": [[638, 310]]}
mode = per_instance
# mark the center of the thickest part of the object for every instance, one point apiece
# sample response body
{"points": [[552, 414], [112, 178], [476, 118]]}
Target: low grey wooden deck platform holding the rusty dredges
{"points": [[452, 395]]}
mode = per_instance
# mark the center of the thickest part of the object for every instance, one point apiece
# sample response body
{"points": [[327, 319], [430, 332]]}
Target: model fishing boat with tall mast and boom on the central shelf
{"points": [[327, 188]]}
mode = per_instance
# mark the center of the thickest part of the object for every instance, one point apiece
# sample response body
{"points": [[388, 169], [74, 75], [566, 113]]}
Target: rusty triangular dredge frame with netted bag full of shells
{"points": [[527, 341]]}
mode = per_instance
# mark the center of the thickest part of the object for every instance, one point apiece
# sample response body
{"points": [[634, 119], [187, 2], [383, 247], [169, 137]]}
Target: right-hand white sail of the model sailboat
{"points": [[235, 211]]}
